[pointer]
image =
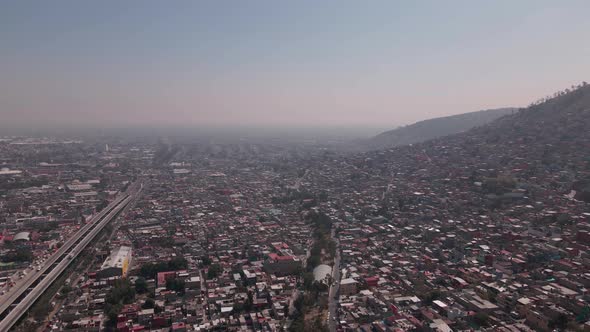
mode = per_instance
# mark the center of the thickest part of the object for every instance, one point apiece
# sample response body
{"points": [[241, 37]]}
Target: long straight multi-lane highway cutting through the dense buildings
{"points": [[15, 303]]}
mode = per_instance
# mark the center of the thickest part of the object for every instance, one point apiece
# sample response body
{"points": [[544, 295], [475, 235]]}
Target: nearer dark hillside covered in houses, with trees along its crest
{"points": [[540, 152]]}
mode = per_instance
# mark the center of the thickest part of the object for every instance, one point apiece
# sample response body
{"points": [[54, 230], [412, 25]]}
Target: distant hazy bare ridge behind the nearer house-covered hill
{"points": [[433, 128]]}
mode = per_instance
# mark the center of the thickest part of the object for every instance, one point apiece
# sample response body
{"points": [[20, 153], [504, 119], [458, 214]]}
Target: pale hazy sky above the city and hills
{"points": [[286, 63]]}
